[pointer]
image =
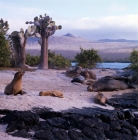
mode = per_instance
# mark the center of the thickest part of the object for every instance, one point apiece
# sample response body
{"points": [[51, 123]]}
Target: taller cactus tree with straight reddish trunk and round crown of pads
{"points": [[45, 27]]}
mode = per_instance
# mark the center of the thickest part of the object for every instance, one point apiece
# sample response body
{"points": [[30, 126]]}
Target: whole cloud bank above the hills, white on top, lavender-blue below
{"points": [[114, 27]]}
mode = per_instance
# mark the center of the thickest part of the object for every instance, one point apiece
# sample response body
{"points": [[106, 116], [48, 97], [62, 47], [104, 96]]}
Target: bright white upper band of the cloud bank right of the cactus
{"points": [[97, 23]]}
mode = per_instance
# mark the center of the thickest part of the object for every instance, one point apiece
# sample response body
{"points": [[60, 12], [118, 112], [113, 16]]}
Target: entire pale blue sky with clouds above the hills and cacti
{"points": [[90, 19]]}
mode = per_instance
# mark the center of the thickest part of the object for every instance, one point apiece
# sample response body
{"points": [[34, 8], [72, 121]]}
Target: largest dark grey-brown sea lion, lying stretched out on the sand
{"points": [[108, 84]]}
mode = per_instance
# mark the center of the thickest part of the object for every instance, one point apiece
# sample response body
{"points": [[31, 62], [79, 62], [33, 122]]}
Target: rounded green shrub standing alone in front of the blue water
{"points": [[87, 58]]}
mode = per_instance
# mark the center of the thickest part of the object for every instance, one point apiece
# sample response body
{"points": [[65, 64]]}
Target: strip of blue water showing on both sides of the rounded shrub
{"points": [[113, 65]]}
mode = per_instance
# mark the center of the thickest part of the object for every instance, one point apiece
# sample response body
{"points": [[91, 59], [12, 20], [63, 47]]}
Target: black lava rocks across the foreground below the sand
{"points": [[77, 124]]}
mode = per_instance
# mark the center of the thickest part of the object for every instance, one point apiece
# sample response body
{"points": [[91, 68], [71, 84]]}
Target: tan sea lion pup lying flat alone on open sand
{"points": [[55, 93]]}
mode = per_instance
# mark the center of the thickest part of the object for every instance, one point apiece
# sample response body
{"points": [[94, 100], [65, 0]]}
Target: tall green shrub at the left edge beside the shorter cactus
{"points": [[4, 51]]}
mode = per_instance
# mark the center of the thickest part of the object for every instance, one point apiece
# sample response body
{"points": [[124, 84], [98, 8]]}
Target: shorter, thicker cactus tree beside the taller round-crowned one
{"points": [[19, 42]]}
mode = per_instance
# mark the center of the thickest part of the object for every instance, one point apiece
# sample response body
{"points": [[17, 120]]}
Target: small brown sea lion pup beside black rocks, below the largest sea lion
{"points": [[100, 99]]}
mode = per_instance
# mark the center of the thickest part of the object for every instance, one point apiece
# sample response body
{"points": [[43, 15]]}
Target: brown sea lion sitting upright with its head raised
{"points": [[15, 87]]}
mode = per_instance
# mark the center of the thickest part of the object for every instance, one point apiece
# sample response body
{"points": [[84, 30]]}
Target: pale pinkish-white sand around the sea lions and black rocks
{"points": [[33, 82]]}
